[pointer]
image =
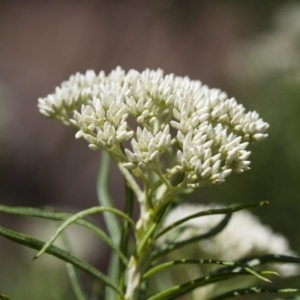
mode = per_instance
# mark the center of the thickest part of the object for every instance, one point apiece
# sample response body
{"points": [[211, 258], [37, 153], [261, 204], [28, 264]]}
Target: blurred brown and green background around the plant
{"points": [[250, 49]]}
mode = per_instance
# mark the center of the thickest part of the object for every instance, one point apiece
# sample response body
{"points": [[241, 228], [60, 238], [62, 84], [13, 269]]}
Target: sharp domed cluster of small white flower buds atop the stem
{"points": [[203, 132]]}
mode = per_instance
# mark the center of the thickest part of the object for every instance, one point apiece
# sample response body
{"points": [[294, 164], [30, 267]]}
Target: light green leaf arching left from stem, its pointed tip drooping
{"points": [[81, 215]]}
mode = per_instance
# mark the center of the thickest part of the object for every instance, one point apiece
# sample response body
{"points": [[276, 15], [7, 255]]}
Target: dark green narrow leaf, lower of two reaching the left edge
{"points": [[34, 243]]}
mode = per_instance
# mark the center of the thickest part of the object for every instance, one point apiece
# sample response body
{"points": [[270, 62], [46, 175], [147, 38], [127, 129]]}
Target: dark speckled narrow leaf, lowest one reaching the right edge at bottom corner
{"points": [[253, 290]]}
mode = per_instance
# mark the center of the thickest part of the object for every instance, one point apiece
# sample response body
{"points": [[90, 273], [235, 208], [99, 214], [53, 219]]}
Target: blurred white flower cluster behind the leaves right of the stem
{"points": [[244, 236]]}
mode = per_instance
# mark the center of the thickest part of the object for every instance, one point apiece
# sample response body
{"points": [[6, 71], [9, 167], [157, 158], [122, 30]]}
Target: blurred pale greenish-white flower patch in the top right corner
{"points": [[275, 52]]}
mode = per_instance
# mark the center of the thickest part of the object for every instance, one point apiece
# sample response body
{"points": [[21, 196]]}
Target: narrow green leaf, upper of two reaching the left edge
{"points": [[62, 216]]}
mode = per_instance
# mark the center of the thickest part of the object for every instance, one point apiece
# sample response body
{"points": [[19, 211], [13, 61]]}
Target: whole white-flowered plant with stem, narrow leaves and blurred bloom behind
{"points": [[168, 136]]}
